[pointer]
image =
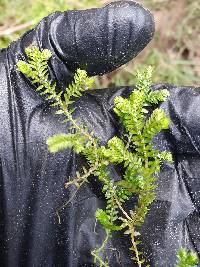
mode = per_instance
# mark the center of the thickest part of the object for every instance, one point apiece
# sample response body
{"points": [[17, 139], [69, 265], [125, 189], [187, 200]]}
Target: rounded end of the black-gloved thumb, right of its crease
{"points": [[100, 40]]}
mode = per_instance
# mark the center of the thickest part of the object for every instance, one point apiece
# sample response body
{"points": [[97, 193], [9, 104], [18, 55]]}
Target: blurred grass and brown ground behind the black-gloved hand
{"points": [[174, 52]]}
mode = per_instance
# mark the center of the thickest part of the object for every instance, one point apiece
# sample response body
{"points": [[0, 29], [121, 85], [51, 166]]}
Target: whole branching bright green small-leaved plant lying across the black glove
{"points": [[134, 150]]}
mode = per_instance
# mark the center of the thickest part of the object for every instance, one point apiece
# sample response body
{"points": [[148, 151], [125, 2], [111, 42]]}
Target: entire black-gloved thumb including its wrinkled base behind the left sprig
{"points": [[98, 40]]}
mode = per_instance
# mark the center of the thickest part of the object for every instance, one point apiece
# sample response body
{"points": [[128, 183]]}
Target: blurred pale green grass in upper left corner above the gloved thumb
{"points": [[21, 12]]}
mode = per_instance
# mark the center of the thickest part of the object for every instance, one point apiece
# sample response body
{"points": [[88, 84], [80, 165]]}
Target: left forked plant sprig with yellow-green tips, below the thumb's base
{"points": [[36, 69]]}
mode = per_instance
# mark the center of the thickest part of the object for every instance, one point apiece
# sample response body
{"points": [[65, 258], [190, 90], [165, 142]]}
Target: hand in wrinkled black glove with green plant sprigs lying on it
{"points": [[32, 179]]}
